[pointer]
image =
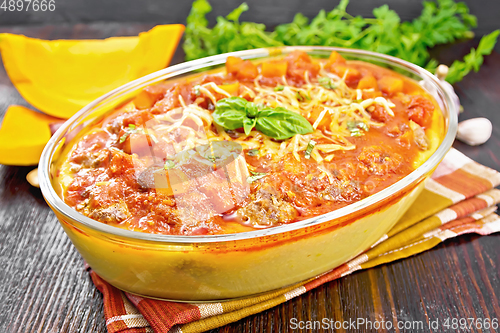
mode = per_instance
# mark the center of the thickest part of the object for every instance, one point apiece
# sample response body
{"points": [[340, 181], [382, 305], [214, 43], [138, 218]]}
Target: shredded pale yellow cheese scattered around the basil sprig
{"points": [[341, 104]]}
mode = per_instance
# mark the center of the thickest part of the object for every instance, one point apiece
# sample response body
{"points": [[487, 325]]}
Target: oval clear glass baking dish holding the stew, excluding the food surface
{"points": [[217, 267]]}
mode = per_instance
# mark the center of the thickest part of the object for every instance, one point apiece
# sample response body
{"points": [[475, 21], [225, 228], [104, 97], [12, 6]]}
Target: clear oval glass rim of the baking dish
{"points": [[56, 203]]}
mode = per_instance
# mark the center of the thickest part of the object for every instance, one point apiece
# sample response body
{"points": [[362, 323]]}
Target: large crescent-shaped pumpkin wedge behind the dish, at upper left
{"points": [[60, 77]]}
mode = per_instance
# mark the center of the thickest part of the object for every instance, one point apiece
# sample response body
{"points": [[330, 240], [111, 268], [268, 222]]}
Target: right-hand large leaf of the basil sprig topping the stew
{"points": [[281, 124]]}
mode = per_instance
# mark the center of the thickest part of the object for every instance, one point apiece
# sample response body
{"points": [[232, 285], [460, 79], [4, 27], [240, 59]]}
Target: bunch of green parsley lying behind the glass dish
{"points": [[440, 22]]}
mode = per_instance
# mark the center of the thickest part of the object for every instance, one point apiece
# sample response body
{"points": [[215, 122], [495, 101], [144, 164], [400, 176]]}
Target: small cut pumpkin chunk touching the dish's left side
{"points": [[23, 135]]}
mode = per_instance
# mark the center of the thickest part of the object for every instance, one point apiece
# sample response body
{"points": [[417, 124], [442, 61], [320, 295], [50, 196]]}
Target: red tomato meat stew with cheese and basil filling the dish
{"points": [[256, 145]]}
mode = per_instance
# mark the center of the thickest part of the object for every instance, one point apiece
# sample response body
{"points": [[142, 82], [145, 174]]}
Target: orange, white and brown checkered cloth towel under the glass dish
{"points": [[460, 198]]}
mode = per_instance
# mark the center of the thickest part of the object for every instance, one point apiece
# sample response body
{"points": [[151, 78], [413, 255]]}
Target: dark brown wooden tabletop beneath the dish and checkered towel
{"points": [[43, 287]]}
